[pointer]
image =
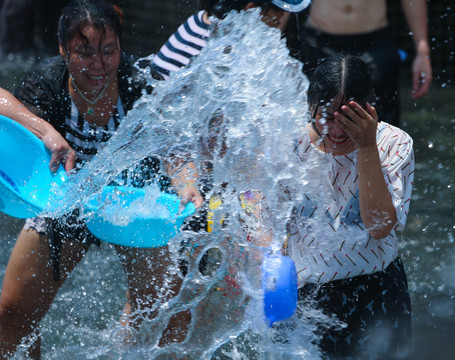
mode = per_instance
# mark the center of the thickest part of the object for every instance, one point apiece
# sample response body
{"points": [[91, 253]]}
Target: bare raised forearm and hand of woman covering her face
{"points": [[376, 206]]}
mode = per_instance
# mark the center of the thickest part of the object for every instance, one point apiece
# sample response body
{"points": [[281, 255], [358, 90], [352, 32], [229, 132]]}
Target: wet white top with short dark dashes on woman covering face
{"points": [[327, 238]]}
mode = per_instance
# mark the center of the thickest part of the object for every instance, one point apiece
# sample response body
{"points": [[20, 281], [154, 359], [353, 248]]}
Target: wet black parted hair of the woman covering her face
{"points": [[339, 79]]}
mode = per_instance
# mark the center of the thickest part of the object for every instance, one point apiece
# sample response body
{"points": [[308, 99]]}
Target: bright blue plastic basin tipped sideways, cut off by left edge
{"points": [[26, 181]]}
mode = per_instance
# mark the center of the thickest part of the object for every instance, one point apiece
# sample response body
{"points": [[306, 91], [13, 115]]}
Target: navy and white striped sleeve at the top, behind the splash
{"points": [[186, 43]]}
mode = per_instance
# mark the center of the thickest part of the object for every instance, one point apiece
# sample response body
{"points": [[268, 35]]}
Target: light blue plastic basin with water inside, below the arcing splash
{"points": [[136, 229]]}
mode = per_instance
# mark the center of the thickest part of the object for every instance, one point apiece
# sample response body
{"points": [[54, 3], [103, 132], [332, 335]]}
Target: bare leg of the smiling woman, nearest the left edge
{"points": [[29, 288]]}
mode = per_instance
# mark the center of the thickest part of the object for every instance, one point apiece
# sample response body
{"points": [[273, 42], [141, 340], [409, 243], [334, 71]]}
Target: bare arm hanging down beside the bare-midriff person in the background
{"points": [[422, 74]]}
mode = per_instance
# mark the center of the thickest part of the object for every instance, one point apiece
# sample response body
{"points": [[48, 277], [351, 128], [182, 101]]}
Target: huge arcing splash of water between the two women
{"points": [[235, 111]]}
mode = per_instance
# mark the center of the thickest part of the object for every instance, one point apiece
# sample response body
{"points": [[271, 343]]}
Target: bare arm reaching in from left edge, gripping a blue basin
{"points": [[54, 142]]}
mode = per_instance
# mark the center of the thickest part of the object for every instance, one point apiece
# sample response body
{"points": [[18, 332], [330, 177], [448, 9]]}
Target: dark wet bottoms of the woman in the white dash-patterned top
{"points": [[375, 310]]}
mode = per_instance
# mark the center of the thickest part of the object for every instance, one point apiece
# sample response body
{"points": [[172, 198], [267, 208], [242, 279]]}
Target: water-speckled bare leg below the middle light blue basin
{"points": [[148, 272]]}
